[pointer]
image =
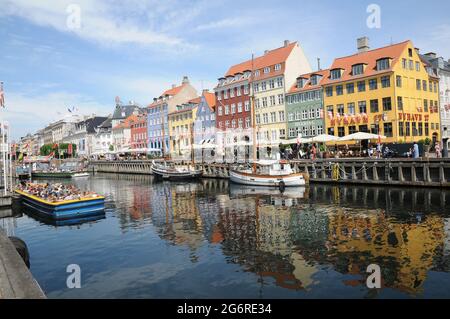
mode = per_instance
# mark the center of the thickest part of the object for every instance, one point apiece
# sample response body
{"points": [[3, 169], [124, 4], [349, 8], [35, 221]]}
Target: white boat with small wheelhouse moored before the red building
{"points": [[274, 174]]}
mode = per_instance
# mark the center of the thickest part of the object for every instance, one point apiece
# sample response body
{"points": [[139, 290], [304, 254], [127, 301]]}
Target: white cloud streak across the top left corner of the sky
{"points": [[98, 22]]}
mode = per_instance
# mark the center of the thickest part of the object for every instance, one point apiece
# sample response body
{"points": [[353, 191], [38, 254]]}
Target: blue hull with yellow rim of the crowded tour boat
{"points": [[65, 209]]}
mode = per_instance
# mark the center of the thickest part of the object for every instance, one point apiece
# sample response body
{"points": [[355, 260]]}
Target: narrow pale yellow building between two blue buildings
{"points": [[181, 128]]}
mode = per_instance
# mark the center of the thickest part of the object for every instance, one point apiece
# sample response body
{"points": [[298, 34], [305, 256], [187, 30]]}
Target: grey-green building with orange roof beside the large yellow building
{"points": [[304, 106]]}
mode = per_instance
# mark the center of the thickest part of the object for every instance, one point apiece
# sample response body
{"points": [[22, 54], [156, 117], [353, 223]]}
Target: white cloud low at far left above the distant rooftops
{"points": [[28, 113]]}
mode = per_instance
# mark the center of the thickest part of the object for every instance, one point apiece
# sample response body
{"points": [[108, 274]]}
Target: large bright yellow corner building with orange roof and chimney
{"points": [[385, 91]]}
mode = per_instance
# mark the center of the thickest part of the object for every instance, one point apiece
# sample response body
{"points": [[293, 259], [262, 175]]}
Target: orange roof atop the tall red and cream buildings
{"points": [[272, 57]]}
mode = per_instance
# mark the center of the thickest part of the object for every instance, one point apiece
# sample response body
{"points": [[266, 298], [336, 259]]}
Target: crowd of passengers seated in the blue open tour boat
{"points": [[55, 192]]}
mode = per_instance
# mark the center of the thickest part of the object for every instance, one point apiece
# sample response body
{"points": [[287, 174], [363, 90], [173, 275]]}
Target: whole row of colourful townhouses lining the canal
{"points": [[393, 91]]}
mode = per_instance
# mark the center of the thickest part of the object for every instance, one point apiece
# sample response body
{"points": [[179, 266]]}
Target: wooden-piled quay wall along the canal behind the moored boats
{"points": [[399, 172]]}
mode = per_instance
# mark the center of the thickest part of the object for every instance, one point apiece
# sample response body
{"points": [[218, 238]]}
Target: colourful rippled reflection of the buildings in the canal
{"points": [[289, 239]]}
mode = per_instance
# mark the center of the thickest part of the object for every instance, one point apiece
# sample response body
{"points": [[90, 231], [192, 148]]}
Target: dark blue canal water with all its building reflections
{"points": [[212, 239]]}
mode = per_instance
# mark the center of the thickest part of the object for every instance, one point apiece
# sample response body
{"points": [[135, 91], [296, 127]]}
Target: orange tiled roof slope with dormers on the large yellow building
{"points": [[369, 58]]}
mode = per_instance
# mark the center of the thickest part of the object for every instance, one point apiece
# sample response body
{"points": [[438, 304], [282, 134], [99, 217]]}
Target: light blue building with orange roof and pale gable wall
{"points": [[157, 118]]}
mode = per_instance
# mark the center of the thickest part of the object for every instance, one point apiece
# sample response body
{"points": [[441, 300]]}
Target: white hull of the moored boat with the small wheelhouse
{"points": [[291, 180]]}
